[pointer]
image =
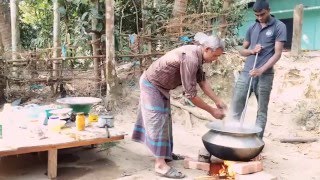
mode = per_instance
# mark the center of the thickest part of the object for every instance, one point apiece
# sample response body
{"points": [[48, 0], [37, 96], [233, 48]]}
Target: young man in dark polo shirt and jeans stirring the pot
{"points": [[265, 37]]}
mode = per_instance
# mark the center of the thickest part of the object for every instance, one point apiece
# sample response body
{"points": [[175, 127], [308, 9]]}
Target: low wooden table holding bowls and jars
{"points": [[22, 143]]}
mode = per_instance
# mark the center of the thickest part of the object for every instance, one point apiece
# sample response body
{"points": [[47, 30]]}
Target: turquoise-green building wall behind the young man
{"points": [[283, 9]]}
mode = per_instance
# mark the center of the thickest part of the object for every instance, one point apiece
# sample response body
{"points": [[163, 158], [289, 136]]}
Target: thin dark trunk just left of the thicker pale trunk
{"points": [[95, 46]]}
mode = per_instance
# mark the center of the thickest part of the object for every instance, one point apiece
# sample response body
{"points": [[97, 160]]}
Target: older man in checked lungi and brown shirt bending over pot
{"points": [[181, 66]]}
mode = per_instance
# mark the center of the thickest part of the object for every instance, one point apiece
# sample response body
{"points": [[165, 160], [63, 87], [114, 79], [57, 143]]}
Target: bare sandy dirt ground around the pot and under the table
{"points": [[295, 80]]}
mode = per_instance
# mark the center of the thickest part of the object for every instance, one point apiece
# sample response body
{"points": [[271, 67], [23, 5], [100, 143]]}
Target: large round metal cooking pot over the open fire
{"points": [[230, 142]]}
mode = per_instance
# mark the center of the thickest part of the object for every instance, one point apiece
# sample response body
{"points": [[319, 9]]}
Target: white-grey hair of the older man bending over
{"points": [[211, 41]]}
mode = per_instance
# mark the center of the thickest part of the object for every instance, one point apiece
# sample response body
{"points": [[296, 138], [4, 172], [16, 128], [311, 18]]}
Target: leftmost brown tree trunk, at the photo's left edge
{"points": [[5, 27]]}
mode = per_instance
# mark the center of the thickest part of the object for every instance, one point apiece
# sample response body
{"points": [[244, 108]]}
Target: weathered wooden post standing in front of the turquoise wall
{"points": [[297, 30]]}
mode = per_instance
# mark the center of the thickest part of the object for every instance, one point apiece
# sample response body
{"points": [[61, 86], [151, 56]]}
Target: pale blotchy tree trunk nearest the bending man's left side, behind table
{"points": [[113, 89]]}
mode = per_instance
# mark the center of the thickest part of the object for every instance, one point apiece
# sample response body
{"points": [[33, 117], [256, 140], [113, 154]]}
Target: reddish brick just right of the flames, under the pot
{"points": [[247, 167]]}
